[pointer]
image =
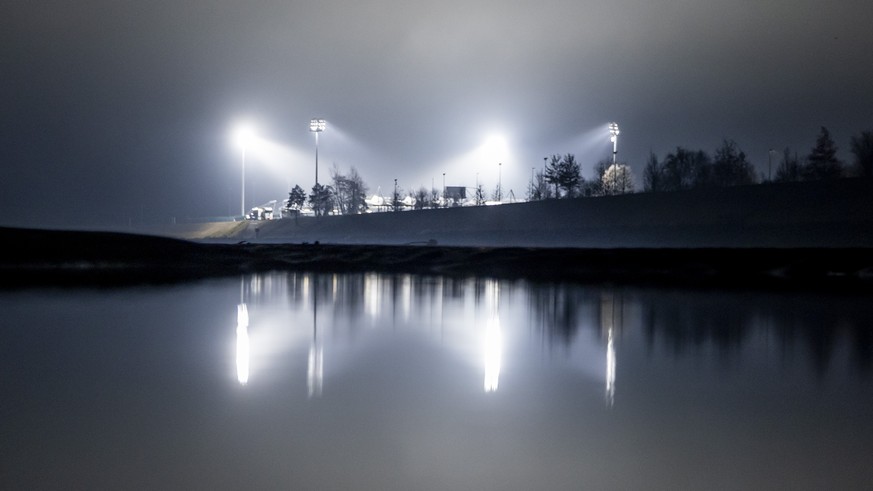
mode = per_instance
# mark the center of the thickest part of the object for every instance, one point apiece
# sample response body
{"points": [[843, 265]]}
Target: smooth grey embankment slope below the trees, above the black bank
{"points": [[809, 214]]}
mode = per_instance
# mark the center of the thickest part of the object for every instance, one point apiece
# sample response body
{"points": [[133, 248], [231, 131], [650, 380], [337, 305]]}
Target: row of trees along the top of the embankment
{"points": [[561, 177]]}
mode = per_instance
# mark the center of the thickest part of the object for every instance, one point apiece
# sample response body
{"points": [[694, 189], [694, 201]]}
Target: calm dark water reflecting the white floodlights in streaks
{"points": [[369, 381]]}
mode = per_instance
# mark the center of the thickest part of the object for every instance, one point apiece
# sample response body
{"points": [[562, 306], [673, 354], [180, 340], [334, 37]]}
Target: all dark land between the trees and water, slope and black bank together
{"points": [[810, 235]]}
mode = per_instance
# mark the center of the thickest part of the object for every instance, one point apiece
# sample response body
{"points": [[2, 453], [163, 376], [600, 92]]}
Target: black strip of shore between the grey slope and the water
{"points": [[70, 258]]}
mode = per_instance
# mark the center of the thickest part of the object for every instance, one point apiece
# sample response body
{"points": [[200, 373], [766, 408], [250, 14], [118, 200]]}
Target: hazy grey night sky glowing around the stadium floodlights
{"points": [[117, 112]]}
